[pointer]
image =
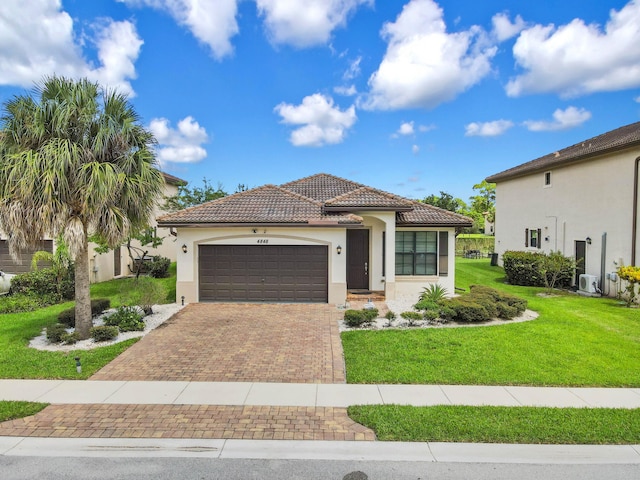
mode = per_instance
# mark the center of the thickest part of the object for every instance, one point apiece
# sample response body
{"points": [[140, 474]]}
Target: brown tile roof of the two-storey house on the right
{"points": [[618, 139]]}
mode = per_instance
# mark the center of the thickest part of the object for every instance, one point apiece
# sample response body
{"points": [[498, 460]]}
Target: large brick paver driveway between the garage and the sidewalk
{"points": [[289, 343]]}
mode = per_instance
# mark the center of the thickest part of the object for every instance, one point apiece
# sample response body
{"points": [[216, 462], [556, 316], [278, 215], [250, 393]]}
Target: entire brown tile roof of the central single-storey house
{"points": [[317, 200]]}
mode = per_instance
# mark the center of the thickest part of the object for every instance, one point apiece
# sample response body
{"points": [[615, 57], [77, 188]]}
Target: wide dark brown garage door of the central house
{"points": [[263, 273]]}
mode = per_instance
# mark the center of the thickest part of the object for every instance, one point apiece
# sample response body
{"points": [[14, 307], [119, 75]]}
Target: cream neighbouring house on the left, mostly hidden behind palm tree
{"points": [[108, 265]]}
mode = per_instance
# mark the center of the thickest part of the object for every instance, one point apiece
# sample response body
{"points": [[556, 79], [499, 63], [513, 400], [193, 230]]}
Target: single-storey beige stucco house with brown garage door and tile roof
{"points": [[312, 240]]}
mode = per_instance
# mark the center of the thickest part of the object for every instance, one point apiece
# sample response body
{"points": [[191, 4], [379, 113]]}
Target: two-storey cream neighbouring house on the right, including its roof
{"points": [[581, 200]]}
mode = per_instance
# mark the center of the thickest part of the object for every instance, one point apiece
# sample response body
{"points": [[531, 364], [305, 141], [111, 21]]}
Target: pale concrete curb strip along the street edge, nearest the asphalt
{"points": [[320, 450]]}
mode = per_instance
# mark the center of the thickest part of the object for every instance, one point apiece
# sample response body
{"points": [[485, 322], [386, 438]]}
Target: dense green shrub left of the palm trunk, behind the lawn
{"points": [[45, 282]]}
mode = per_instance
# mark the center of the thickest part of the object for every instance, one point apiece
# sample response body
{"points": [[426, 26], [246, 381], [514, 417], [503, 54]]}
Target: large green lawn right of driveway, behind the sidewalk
{"points": [[576, 341]]}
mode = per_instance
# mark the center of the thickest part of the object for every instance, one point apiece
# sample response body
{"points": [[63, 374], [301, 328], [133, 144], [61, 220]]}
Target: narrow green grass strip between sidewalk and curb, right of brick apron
{"points": [[532, 425]]}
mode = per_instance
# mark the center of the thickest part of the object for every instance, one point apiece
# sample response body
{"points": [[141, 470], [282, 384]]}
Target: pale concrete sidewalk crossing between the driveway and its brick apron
{"points": [[309, 395]]}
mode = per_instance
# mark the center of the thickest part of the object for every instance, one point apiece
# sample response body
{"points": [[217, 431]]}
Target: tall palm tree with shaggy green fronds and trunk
{"points": [[75, 162]]}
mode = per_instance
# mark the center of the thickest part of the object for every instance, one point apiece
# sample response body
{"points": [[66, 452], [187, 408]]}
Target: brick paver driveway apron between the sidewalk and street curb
{"points": [[189, 421]]}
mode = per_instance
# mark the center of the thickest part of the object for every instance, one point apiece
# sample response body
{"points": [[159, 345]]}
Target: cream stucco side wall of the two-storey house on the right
{"points": [[587, 199]]}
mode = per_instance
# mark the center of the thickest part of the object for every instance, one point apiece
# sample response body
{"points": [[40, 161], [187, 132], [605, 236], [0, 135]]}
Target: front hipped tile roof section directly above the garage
{"points": [[267, 204]]}
